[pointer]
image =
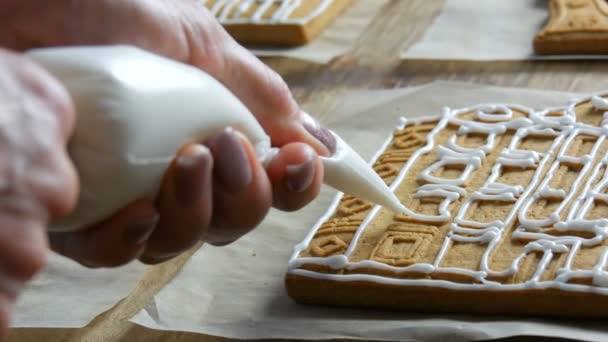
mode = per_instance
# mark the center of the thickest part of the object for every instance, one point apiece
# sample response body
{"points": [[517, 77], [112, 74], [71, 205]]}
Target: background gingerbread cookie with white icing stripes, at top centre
{"points": [[276, 22]]}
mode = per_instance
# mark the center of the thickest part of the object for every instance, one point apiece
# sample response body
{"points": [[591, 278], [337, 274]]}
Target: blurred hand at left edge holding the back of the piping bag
{"points": [[37, 180]]}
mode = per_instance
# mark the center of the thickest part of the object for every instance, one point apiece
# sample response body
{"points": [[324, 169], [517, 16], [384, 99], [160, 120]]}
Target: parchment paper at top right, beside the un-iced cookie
{"points": [[485, 31]]}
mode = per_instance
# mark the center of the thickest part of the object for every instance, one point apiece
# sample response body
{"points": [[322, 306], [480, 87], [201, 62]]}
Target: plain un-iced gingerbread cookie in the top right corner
{"points": [[574, 27]]}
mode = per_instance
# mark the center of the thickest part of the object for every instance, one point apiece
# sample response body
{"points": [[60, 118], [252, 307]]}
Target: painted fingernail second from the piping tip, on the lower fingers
{"points": [[232, 167]]}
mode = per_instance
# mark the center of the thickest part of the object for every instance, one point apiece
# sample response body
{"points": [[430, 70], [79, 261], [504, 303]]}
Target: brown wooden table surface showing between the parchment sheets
{"points": [[373, 63]]}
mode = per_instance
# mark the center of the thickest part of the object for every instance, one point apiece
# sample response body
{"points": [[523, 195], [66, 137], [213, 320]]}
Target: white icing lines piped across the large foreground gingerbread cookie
{"points": [[590, 186]]}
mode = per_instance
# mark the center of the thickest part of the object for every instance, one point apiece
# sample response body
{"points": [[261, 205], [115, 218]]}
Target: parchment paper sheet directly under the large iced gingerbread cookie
{"points": [[238, 292]]}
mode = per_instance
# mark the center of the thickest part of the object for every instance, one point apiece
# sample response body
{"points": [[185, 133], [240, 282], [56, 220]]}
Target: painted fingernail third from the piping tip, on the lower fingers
{"points": [[191, 166]]}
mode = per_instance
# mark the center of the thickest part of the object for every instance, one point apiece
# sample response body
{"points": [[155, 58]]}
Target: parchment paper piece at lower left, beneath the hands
{"points": [[68, 295]]}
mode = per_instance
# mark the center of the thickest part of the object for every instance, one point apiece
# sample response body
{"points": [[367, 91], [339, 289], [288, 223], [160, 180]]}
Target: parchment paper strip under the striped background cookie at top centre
{"points": [[337, 39]]}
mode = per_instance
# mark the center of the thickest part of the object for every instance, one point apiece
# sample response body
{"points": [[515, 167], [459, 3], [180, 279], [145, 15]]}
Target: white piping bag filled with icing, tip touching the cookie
{"points": [[135, 109]]}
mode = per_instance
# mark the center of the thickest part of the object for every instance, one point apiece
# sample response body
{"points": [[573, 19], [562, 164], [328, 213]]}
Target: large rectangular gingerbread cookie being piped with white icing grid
{"points": [[507, 213]]}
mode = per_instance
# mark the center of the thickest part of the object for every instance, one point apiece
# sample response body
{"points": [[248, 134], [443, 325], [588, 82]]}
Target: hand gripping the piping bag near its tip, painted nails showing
{"points": [[216, 192]]}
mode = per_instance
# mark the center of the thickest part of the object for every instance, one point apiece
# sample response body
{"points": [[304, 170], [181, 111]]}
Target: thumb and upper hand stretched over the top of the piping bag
{"points": [[183, 31]]}
